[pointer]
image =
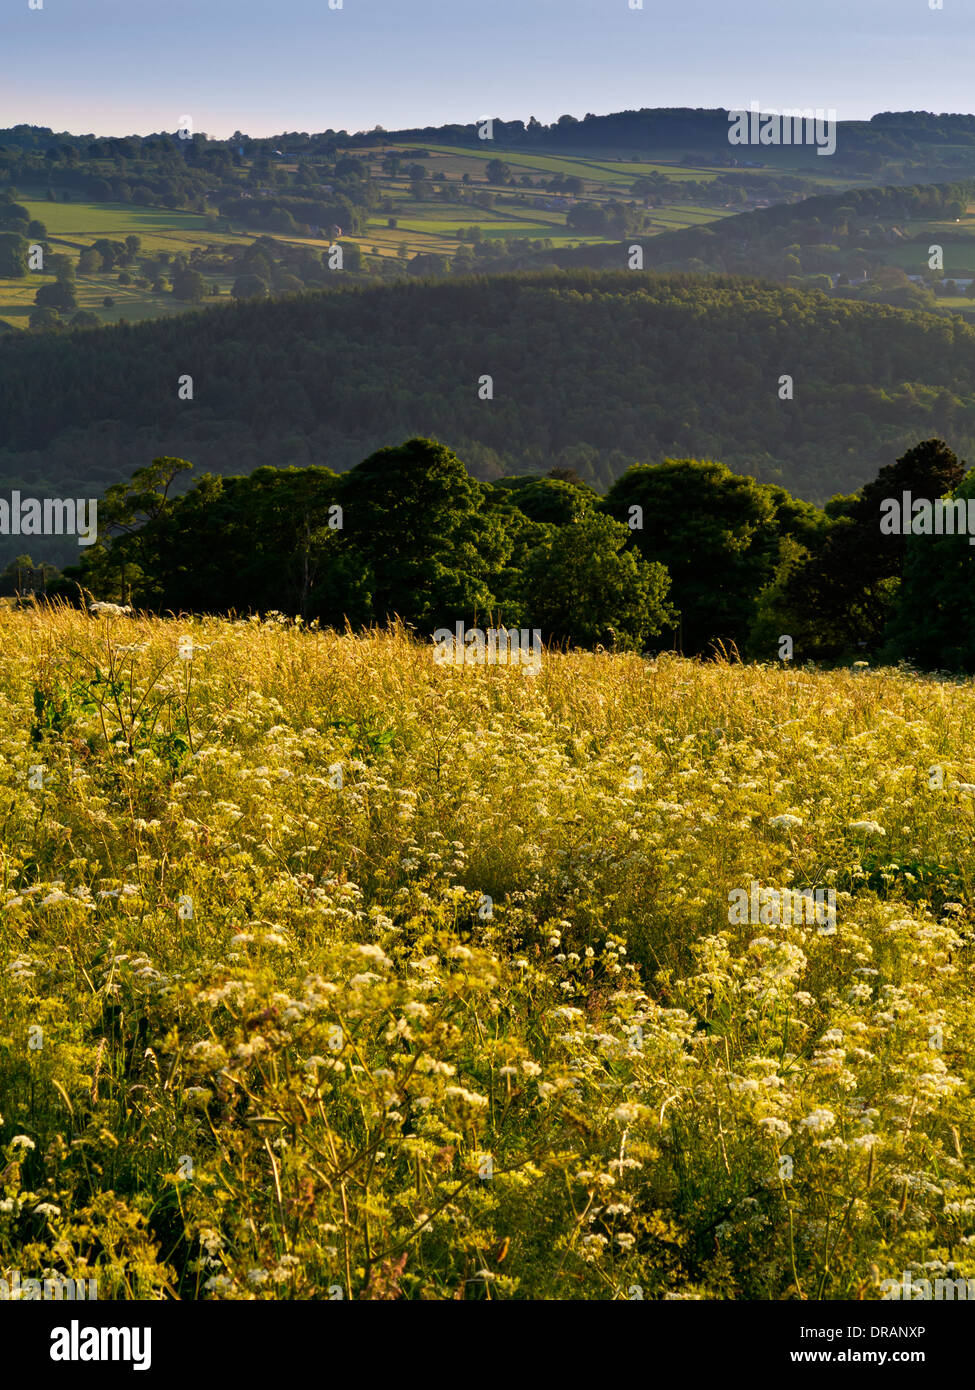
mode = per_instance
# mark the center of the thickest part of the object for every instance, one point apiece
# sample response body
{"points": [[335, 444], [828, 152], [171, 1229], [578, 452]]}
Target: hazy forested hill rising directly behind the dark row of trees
{"points": [[595, 372]]}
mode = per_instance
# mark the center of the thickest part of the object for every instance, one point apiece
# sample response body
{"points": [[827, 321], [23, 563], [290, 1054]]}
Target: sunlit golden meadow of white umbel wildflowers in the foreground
{"points": [[329, 972]]}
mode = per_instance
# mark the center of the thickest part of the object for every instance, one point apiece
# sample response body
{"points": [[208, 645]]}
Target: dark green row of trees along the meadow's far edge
{"points": [[685, 554]]}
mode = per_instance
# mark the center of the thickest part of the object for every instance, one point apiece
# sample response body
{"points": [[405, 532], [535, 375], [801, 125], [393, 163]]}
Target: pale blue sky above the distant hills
{"points": [[118, 67]]}
